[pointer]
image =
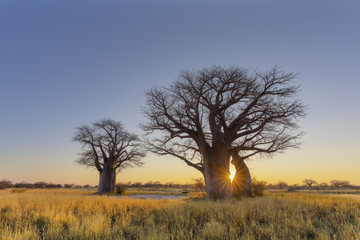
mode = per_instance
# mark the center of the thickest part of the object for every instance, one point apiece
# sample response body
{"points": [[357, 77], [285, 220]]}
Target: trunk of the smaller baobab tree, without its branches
{"points": [[106, 181]]}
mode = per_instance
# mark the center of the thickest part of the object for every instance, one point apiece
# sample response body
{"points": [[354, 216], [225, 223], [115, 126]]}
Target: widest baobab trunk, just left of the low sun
{"points": [[217, 176]]}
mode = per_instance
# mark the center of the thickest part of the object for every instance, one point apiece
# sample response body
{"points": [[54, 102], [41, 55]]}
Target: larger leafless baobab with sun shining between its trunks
{"points": [[211, 116]]}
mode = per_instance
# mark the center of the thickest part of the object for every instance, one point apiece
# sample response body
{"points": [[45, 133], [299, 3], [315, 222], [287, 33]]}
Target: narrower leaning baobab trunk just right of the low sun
{"points": [[241, 184]]}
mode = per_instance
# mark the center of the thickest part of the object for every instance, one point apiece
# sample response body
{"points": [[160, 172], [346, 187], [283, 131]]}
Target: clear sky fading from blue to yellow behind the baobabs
{"points": [[66, 63]]}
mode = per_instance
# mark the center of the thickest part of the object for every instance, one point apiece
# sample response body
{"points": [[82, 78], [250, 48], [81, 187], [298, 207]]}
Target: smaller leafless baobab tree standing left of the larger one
{"points": [[108, 148]]}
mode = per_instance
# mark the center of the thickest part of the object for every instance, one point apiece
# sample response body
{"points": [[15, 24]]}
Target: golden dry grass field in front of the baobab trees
{"points": [[77, 214]]}
